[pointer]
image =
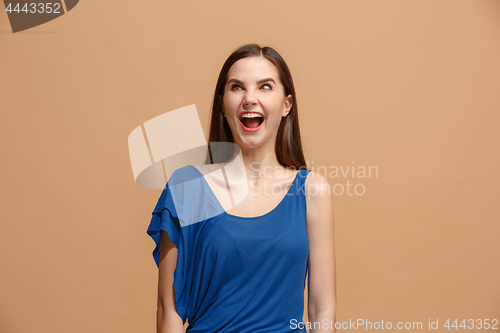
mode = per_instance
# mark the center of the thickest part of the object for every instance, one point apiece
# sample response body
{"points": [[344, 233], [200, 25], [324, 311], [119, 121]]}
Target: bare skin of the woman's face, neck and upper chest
{"points": [[246, 90]]}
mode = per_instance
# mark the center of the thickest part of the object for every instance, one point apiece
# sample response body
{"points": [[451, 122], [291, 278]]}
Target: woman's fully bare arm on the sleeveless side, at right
{"points": [[322, 299]]}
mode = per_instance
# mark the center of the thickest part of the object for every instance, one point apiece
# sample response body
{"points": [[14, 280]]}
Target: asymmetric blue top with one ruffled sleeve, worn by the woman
{"points": [[233, 273]]}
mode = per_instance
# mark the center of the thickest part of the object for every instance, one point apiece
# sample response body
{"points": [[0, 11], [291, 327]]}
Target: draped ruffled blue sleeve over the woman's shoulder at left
{"points": [[183, 209]]}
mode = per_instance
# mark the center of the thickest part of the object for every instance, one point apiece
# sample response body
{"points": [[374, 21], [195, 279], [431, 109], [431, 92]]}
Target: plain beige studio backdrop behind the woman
{"points": [[408, 86]]}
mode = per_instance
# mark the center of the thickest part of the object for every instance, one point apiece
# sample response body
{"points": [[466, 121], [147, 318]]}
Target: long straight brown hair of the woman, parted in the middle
{"points": [[288, 146]]}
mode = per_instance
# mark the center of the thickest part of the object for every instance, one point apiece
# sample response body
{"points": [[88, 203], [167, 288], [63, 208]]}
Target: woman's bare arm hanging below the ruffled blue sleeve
{"points": [[168, 320]]}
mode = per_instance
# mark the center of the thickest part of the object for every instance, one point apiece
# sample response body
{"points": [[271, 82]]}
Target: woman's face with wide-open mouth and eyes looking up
{"points": [[253, 85]]}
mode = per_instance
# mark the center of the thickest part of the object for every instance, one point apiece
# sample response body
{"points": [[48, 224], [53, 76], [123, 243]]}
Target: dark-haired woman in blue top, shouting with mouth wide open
{"points": [[244, 270]]}
